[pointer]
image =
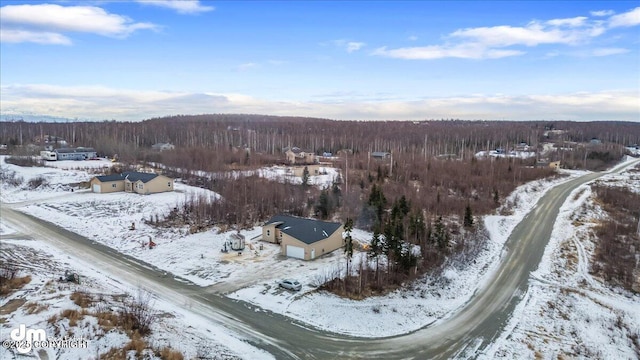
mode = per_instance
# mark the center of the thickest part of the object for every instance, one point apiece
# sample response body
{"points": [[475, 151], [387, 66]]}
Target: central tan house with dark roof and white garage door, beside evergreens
{"points": [[302, 238]]}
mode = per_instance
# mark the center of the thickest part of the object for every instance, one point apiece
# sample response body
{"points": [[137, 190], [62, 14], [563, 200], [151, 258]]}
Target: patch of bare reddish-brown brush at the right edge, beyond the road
{"points": [[618, 241]]}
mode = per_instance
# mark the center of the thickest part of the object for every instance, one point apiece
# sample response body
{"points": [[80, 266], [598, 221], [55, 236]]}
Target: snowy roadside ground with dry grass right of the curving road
{"points": [[567, 312]]}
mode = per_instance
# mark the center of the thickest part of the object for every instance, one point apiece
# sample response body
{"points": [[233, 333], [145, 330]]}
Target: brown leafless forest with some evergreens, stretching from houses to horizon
{"points": [[420, 201]]}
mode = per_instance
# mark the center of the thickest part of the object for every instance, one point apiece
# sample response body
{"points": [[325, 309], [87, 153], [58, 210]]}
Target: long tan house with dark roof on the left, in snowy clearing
{"points": [[141, 183]]}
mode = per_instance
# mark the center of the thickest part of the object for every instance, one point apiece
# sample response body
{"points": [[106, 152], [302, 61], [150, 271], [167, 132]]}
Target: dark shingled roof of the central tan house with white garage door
{"points": [[306, 230]]}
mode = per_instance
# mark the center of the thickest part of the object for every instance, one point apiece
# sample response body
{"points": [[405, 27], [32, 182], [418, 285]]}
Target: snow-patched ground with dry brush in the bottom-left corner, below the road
{"points": [[40, 305]]}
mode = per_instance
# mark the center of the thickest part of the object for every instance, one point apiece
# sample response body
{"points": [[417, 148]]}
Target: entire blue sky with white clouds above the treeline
{"points": [[382, 60]]}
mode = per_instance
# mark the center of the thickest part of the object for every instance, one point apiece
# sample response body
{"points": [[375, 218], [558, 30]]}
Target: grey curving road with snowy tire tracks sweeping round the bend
{"points": [[462, 335]]}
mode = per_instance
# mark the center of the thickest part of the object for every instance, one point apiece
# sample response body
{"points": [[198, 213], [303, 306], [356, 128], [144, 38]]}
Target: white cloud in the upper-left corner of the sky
{"points": [[46, 23]]}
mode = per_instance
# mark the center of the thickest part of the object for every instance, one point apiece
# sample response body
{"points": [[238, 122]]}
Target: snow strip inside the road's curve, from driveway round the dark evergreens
{"points": [[430, 299]]}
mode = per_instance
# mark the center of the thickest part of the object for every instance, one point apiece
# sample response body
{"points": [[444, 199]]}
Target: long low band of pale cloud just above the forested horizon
{"points": [[99, 103]]}
